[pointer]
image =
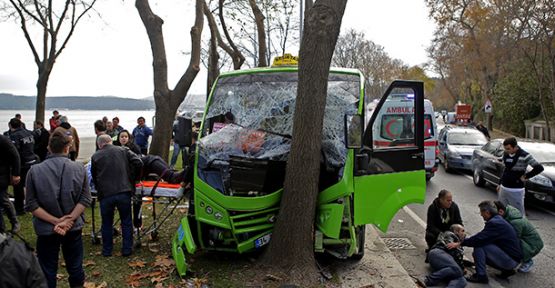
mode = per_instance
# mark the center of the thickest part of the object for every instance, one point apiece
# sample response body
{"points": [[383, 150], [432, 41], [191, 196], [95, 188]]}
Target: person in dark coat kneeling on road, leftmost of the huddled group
{"points": [[442, 213]]}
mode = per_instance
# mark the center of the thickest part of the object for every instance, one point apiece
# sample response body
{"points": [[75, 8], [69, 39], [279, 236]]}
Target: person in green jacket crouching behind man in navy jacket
{"points": [[530, 239]]}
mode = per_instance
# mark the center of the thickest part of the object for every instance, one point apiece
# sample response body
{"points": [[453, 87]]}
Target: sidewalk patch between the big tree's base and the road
{"points": [[378, 268]]}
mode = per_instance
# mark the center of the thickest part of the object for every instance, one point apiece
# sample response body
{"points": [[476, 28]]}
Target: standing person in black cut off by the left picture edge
{"points": [[10, 167]]}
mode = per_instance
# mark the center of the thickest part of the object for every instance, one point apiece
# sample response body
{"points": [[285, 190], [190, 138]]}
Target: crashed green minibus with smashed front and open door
{"points": [[239, 167]]}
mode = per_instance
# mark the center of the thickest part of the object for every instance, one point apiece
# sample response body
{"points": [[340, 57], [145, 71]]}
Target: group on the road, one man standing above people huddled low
{"points": [[508, 242]]}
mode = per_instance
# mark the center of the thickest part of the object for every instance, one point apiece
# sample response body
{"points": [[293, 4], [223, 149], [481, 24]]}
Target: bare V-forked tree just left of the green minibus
{"points": [[168, 100]]}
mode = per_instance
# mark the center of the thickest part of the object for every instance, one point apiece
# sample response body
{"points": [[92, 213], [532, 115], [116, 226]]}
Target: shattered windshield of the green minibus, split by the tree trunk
{"points": [[251, 116]]}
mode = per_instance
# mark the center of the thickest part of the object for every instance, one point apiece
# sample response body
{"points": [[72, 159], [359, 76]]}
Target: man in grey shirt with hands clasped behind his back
{"points": [[57, 194]]}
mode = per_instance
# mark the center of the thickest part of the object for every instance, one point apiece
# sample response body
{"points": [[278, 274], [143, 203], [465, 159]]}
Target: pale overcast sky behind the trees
{"points": [[112, 56]]}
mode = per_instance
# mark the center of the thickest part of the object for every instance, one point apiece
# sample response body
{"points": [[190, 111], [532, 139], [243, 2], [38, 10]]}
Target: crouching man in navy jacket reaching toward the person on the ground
{"points": [[496, 245]]}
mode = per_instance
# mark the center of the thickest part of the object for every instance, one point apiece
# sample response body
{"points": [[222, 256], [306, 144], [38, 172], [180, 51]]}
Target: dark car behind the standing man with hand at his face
{"points": [[488, 167]]}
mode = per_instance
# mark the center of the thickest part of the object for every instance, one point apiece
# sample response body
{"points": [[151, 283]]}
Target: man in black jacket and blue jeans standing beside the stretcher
{"points": [[113, 169]]}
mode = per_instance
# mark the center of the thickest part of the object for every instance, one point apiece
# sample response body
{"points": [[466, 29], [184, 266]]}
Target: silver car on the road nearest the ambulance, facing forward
{"points": [[456, 145]]}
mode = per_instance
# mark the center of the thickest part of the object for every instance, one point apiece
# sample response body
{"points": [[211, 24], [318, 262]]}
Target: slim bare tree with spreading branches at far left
{"points": [[58, 23]]}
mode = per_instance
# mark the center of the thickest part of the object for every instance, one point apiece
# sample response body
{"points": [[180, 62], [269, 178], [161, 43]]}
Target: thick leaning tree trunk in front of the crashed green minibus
{"points": [[292, 245]]}
